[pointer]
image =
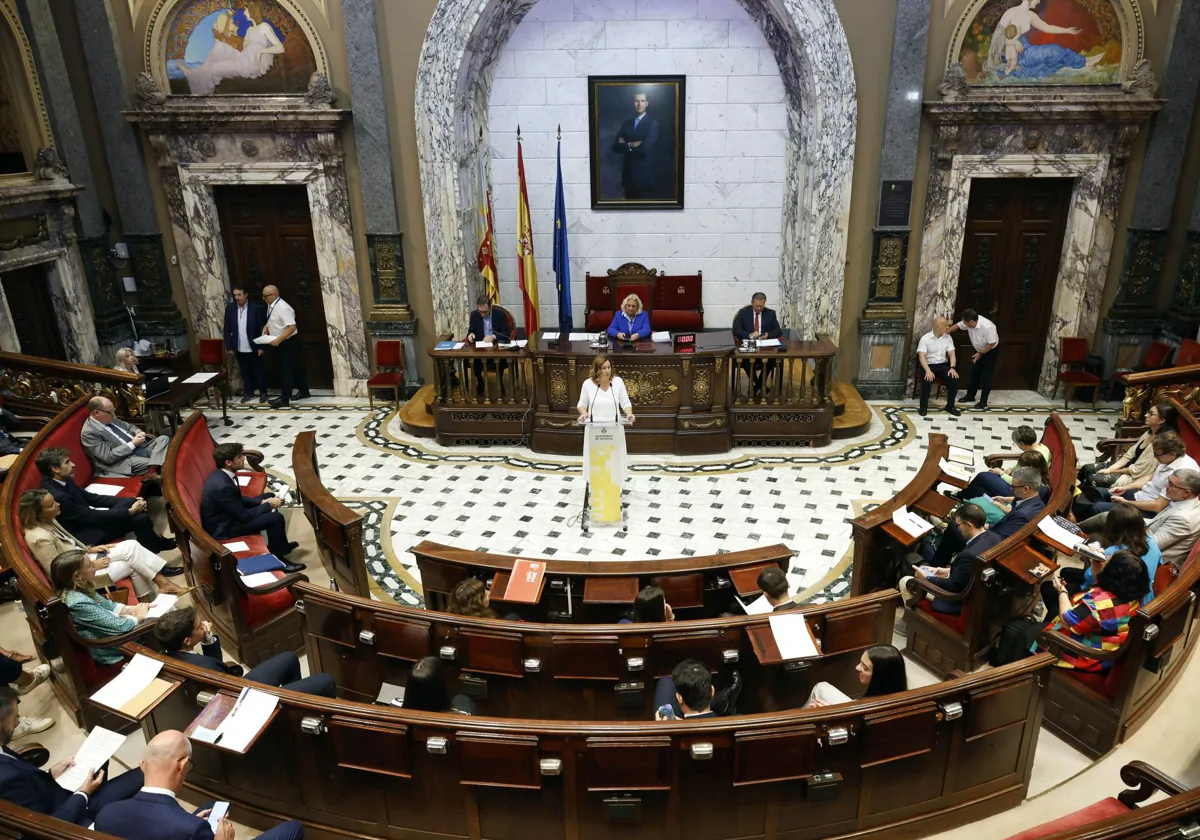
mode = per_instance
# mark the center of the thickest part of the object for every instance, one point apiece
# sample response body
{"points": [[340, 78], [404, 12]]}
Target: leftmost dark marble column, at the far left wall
{"points": [[112, 322]]}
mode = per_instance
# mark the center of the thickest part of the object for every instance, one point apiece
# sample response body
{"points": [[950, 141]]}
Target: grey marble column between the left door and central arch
{"points": [[392, 316]]}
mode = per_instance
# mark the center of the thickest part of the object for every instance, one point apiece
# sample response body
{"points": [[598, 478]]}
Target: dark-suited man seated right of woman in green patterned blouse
{"points": [[182, 629]]}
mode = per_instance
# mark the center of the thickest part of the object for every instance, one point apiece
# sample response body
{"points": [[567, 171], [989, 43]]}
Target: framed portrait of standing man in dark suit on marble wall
{"points": [[635, 142]]}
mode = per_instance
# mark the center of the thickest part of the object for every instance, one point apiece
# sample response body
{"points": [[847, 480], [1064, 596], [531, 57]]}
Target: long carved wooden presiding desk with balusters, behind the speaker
{"points": [[688, 403]]}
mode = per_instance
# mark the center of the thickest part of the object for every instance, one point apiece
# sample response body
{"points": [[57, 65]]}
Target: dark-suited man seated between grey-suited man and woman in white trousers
{"points": [[94, 519]]}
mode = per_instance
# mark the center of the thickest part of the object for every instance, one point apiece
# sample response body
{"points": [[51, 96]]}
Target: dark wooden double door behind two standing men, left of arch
{"points": [[268, 241]]}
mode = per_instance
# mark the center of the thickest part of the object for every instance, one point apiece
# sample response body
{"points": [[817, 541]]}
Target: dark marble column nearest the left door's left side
{"points": [[158, 316]]}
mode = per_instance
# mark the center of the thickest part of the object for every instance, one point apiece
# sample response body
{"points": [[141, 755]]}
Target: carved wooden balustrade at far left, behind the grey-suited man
{"points": [[38, 383]]}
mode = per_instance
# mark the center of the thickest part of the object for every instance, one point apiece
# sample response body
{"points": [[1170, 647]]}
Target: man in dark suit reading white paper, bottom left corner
{"points": [[25, 785]]}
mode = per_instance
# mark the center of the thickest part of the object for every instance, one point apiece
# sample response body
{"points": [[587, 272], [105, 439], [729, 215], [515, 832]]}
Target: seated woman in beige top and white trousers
{"points": [[46, 539]]}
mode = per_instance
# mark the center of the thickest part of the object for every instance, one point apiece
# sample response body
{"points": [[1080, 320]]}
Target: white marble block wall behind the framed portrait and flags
{"points": [[736, 123]]}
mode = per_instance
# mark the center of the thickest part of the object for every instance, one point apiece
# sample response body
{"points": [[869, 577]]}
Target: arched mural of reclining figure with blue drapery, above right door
{"points": [[1048, 43]]}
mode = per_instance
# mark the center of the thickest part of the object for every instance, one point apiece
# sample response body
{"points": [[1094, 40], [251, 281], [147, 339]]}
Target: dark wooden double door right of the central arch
{"points": [[1011, 257]]}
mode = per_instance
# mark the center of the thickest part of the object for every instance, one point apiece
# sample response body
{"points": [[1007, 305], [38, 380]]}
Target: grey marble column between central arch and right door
{"points": [[884, 327]]}
